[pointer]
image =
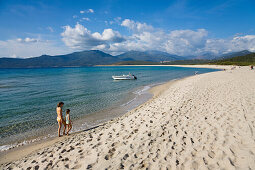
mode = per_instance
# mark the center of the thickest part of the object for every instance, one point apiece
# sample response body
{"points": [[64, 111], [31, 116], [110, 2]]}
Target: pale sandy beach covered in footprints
{"points": [[205, 121]]}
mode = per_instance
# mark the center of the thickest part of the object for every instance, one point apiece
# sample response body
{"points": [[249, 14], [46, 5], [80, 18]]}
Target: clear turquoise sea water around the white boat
{"points": [[28, 97]]}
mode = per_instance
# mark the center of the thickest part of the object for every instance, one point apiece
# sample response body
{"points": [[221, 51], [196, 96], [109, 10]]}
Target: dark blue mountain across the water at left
{"points": [[84, 58]]}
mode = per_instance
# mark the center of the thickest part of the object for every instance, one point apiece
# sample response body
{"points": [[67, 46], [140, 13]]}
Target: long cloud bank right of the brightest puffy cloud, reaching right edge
{"points": [[180, 42]]}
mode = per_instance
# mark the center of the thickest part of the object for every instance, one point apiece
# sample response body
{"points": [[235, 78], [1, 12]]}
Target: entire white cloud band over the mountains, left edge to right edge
{"points": [[138, 36]]}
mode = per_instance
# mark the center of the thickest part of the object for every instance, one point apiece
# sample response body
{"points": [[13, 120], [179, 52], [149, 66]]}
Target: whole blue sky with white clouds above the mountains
{"points": [[30, 28]]}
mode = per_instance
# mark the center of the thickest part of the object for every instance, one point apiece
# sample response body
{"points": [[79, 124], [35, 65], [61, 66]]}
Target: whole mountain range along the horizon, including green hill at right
{"points": [[96, 57]]}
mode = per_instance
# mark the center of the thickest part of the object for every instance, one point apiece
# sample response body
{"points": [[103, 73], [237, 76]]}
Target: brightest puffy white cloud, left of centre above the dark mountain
{"points": [[80, 37]]}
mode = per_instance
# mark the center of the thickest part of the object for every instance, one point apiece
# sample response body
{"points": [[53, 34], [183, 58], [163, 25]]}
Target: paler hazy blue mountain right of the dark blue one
{"points": [[153, 56]]}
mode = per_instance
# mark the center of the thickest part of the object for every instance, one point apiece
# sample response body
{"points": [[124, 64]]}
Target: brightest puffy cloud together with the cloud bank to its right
{"points": [[144, 37]]}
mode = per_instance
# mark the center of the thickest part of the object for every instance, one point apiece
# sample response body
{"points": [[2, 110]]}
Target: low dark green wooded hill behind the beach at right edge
{"points": [[245, 60]]}
